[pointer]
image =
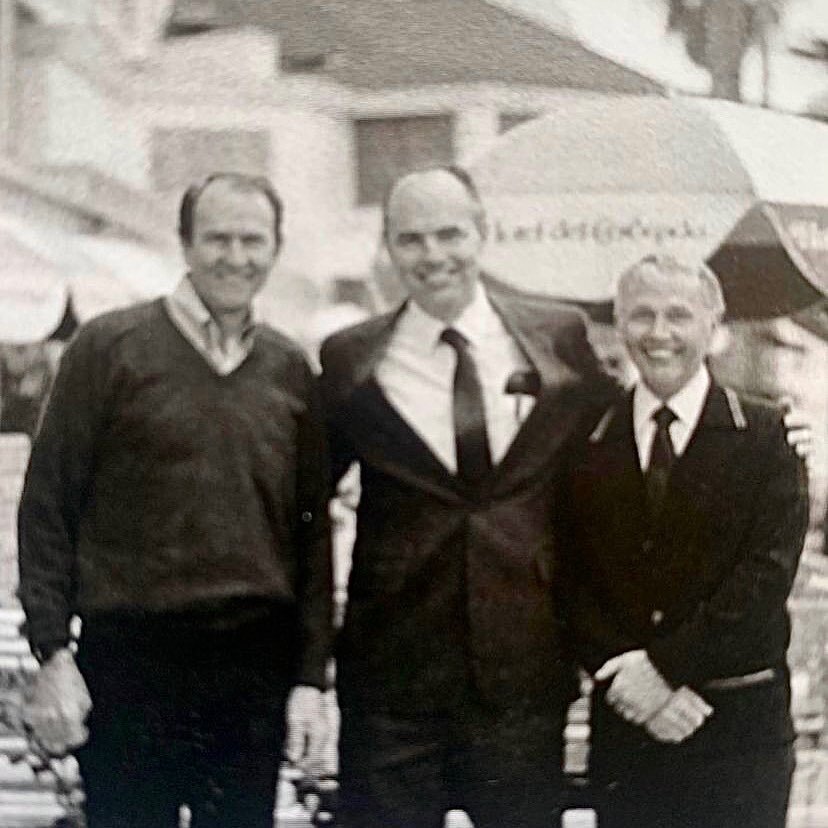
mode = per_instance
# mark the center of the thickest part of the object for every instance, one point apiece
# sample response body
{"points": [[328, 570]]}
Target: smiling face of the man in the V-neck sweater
{"points": [[233, 247]]}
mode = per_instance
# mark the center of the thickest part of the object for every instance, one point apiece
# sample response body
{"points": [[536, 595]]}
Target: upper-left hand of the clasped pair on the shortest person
{"points": [[638, 690]]}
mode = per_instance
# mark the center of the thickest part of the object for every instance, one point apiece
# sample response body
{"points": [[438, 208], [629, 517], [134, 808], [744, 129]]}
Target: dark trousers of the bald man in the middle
{"points": [[406, 771]]}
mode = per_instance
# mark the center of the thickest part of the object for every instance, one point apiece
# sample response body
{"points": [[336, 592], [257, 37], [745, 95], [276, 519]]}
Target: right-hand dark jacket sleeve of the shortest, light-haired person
{"points": [[736, 619]]}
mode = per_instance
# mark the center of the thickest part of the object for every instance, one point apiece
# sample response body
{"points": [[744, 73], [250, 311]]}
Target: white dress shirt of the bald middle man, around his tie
{"points": [[416, 373]]}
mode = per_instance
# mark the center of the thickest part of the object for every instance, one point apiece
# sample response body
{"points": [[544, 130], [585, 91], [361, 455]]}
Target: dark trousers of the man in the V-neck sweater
{"points": [[188, 715]]}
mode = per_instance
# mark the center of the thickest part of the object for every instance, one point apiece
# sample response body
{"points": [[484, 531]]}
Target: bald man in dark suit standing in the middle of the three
{"points": [[451, 675]]}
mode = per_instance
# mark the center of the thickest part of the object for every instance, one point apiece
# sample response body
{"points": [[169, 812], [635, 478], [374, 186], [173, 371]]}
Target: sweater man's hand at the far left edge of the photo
{"points": [[57, 705]]}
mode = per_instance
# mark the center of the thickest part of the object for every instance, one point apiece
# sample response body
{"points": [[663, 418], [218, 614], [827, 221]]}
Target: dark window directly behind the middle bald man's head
{"points": [[388, 147]]}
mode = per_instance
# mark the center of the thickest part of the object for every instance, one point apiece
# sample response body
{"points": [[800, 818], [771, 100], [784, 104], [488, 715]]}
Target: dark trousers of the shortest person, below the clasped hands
{"points": [[734, 773]]}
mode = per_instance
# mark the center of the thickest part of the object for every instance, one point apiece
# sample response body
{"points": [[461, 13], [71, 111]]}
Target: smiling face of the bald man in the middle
{"points": [[434, 240]]}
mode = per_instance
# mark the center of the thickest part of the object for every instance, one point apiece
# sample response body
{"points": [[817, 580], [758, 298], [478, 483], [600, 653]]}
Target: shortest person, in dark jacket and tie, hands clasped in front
{"points": [[681, 525]]}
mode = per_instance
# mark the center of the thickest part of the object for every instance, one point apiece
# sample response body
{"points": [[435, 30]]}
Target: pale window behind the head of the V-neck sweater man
{"points": [[182, 156]]}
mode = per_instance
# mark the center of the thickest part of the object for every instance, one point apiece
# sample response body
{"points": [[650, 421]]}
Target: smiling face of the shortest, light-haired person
{"points": [[667, 325]]}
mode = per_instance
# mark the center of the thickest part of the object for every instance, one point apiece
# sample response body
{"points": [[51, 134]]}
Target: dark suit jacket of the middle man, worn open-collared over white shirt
{"points": [[449, 583]]}
